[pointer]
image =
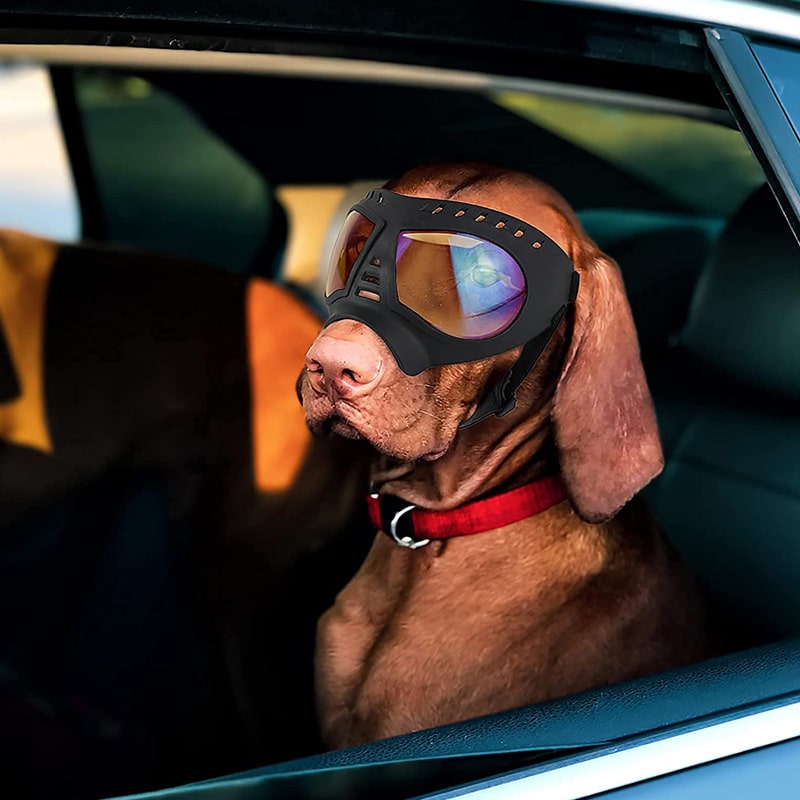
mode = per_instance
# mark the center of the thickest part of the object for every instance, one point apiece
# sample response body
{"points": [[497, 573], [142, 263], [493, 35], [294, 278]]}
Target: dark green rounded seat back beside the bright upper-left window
{"points": [[167, 183]]}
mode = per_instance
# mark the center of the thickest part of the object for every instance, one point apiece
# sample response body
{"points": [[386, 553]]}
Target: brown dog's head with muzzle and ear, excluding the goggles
{"points": [[589, 382]]}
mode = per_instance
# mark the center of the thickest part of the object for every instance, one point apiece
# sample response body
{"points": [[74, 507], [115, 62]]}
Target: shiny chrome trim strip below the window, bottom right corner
{"points": [[617, 766]]}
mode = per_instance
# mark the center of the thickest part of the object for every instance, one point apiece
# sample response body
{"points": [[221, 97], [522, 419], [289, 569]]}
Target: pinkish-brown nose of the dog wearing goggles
{"points": [[342, 368]]}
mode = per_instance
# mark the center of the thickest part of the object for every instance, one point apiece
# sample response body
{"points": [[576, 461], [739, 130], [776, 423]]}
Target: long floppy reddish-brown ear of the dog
{"points": [[605, 424]]}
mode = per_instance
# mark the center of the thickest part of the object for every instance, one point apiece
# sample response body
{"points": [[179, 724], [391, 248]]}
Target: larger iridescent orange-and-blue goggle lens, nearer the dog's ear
{"points": [[464, 286]]}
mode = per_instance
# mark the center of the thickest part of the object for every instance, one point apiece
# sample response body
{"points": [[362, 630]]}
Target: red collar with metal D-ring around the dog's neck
{"points": [[412, 527]]}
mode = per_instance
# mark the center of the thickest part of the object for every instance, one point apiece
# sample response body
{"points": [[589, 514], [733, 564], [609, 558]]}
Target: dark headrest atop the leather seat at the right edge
{"points": [[744, 318]]}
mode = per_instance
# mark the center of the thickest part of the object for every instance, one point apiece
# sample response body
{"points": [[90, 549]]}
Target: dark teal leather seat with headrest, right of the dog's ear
{"points": [[727, 402]]}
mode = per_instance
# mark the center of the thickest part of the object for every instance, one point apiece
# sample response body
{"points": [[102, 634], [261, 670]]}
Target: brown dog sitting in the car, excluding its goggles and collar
{"points": [[582, 594]]}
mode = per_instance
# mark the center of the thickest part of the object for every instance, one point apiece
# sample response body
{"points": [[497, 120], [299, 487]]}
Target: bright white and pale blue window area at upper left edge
{"points": [[37, 193]]}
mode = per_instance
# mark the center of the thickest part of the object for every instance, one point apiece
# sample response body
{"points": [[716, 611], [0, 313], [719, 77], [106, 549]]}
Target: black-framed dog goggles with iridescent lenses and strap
{"points": [[445, 282]]}
